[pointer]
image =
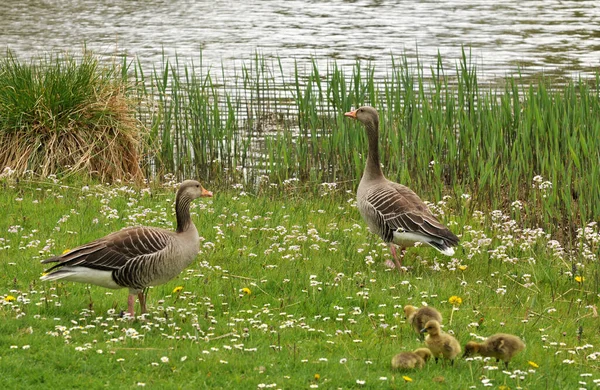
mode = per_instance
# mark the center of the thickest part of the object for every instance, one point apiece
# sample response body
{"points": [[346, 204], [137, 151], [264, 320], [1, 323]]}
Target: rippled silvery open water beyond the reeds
{"points": [[544, 35]]}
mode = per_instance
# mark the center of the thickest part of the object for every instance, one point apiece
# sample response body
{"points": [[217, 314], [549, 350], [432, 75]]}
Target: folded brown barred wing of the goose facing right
{"points": [[115, 250]]}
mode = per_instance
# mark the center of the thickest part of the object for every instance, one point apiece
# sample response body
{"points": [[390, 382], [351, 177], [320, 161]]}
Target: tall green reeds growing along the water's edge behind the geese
{"points": [[442, 132]]}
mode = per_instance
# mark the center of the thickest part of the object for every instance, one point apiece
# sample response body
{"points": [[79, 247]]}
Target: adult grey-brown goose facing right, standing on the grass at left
{"points": [[135, 257]]}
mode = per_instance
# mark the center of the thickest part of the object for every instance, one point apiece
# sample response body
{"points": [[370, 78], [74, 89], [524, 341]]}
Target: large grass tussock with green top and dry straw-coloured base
{"points": [[61, 115]]}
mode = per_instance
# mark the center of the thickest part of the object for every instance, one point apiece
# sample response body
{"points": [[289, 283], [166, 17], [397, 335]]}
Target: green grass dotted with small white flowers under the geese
{"points": [[321, 301]]}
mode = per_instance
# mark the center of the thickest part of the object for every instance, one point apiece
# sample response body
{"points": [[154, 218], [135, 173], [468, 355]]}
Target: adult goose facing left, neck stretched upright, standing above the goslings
{"points": [[391, 210]]}
